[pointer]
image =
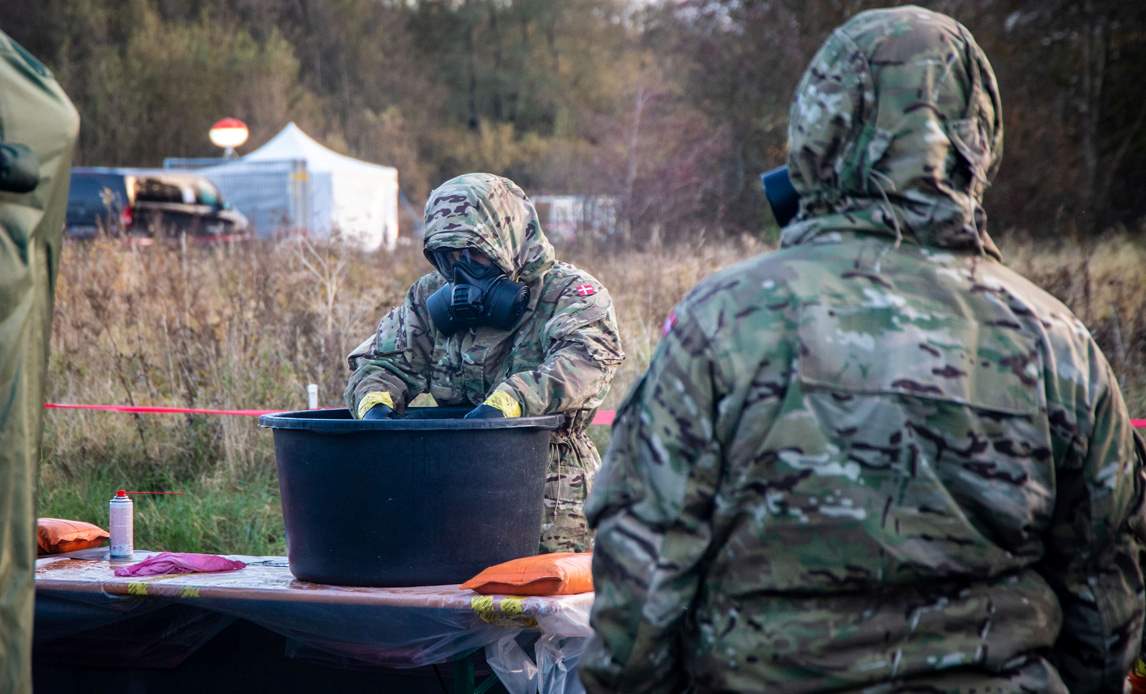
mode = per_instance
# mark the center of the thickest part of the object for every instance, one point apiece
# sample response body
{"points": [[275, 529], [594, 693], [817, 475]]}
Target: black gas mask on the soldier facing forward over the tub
{"points": [[480, 295]]}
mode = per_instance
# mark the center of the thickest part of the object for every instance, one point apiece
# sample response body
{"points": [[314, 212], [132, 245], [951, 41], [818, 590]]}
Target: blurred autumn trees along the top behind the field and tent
{"points": [[676, 107]]}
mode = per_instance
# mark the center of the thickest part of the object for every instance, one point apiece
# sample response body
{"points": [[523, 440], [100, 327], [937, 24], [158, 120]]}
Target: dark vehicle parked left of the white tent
{"points": [[152, 204]]}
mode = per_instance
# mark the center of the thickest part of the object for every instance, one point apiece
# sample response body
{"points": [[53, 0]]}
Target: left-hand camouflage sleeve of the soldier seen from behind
{"points": [[653, 509]]}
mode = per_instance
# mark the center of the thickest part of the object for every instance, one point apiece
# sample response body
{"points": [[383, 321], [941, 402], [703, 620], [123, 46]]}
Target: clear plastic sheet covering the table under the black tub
{"points": [[393, 627]]}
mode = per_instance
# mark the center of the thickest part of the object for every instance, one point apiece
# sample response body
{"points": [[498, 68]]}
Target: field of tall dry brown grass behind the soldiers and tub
{"points": [[250, 327]]}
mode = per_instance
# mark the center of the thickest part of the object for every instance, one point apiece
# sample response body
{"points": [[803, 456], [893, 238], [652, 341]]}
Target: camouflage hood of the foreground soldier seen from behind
{"points": [[897, 129]]}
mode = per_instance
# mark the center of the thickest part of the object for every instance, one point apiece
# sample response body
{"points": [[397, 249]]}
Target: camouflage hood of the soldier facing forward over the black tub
{"points": [[491, 215]]}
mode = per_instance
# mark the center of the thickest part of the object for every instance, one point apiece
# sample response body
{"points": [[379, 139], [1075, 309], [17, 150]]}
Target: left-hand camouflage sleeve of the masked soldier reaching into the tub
{"points": [[398, 362]]}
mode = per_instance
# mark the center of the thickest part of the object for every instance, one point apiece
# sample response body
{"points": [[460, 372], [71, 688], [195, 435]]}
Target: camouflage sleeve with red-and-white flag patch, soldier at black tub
{"points": [[584, 352]]}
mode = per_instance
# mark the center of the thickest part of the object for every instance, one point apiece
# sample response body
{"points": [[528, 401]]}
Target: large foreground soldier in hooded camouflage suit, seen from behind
{"points": [[876, 458]]}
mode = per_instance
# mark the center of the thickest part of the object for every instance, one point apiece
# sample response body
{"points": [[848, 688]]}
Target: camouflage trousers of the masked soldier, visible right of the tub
{"points": [[574, 462]]}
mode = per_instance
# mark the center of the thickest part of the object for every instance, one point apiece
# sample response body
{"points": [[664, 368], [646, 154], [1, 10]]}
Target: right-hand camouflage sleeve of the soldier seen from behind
{"points": [[1093, 549]]}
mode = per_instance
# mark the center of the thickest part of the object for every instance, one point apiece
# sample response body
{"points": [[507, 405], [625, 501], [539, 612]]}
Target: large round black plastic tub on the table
{"points": [[427, 500]]}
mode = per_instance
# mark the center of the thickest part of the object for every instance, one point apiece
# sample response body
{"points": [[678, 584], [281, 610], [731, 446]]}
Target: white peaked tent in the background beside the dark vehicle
{"points": [[293, 183]]}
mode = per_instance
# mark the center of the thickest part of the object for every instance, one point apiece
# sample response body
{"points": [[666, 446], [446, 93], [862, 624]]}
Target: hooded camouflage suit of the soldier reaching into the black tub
{"points": [[560, 358]]}
